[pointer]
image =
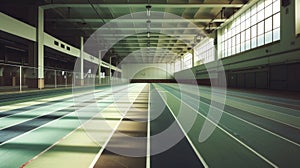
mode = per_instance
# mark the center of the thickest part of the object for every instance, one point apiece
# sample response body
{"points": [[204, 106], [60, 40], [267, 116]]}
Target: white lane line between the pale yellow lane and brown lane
{"points": [[97, 157]]}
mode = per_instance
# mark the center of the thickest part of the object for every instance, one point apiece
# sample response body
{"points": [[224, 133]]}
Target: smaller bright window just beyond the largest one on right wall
{"points": [[205, 52]]}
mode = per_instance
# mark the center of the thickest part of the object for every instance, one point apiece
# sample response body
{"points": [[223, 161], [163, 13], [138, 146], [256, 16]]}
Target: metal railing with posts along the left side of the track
{"points": [[19, 78]]}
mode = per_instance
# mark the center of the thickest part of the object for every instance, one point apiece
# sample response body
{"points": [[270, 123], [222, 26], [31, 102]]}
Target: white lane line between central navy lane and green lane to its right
{"points": [[185, 134]]}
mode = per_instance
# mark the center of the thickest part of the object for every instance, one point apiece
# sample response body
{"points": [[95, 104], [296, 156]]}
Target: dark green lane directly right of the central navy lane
{"points": [[219, 150]]}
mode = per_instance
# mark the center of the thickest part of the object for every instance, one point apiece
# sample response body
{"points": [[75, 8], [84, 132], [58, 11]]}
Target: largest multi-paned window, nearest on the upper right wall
{"points": [[257, 26]]}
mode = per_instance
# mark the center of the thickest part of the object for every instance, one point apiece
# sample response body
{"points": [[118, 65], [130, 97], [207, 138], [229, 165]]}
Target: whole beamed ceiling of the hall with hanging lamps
{"points": [[121, 26]]}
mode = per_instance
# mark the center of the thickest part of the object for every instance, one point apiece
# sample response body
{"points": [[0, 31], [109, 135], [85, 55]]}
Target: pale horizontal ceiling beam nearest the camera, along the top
{"points": [[128, 5]]}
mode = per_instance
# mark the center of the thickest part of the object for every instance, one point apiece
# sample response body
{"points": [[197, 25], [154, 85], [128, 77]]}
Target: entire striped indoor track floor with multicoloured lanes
{"points": [[113, 128]]}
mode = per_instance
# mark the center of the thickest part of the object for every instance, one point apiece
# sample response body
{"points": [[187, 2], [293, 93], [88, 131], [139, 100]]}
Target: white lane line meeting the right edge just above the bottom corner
{"points": [[268, 131]]}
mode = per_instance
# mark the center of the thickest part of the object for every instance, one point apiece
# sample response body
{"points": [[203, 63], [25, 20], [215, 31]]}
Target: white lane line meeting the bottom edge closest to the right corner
{"points": [[233, 137]]}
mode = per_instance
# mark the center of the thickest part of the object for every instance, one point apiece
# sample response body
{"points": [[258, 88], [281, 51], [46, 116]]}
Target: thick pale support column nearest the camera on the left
{"points": [[40, 47]]}
